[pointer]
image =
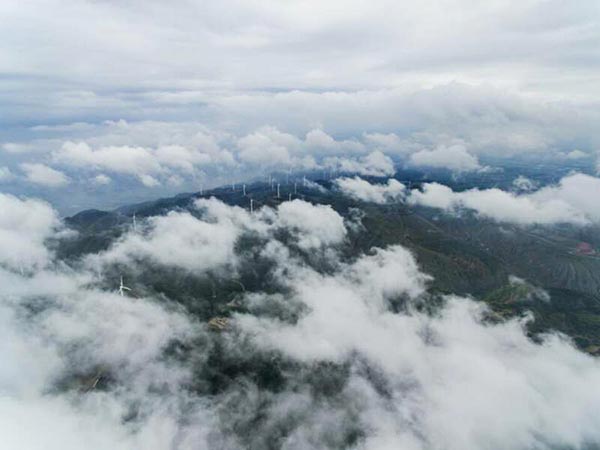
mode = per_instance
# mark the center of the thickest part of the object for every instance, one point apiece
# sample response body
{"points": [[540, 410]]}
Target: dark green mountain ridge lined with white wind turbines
{"points": [[465, 254]]}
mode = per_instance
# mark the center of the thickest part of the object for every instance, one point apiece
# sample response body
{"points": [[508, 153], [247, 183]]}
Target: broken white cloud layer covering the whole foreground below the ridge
{"points": [[125, 372]]}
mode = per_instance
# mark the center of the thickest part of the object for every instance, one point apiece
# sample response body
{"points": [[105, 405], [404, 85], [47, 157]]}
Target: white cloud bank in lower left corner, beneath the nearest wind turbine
{"points": [[81, 335]]}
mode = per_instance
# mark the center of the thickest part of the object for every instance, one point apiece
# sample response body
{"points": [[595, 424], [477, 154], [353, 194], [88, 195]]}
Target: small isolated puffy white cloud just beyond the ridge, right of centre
{"points": [[454, 157]]}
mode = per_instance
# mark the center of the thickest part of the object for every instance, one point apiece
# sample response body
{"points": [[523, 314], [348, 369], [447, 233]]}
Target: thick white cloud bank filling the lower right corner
{"points": [[445, 378]]}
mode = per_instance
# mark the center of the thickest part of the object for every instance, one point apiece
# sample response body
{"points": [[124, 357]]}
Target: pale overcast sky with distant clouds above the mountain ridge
{"points": [[165, 98]]}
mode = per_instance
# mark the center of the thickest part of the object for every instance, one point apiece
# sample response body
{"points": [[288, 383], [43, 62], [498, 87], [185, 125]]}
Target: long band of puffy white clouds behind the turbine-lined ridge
{"points": [[190, 154]]}
